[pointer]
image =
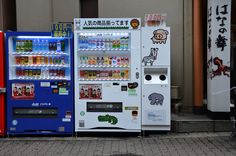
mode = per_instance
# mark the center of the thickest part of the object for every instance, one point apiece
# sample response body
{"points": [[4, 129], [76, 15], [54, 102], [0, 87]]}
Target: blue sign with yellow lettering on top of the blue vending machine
{"points": [[61, 30]]}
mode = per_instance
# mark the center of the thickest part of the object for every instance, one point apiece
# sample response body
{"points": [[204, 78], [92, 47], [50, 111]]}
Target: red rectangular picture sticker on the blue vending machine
{"points": [[23, 91]]}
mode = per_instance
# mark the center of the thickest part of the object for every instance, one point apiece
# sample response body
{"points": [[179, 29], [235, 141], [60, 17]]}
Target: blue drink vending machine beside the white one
{"points": [[39, 82]]}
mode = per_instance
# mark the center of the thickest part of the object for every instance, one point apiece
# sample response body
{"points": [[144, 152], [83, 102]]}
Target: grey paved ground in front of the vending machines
{"points": [[180, 144]]}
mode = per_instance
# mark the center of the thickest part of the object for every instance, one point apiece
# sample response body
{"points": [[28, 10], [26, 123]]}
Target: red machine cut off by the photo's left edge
{"points": [[2, 86]]}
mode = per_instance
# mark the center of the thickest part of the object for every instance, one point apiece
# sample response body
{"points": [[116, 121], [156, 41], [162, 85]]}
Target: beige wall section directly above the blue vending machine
{"points": [[38, 15]]}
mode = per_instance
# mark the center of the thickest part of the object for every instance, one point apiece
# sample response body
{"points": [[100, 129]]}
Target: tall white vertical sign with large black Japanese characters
{"points": [[218, 55]]}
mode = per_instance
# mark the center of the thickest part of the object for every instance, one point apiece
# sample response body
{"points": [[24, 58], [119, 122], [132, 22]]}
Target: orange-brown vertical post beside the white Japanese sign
{"points": [[197, 56]]}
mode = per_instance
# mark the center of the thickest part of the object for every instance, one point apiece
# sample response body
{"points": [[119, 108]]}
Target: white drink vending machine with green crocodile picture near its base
{"points": [[107, 74]]}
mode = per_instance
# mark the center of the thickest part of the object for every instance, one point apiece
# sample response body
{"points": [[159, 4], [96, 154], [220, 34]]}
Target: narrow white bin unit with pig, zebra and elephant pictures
{"points": [[156, 78]]}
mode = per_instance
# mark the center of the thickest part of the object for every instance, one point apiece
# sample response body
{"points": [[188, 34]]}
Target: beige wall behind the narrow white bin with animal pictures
{"points": [[179, 14]]}
